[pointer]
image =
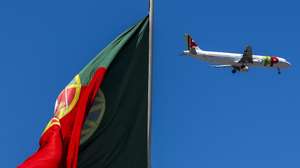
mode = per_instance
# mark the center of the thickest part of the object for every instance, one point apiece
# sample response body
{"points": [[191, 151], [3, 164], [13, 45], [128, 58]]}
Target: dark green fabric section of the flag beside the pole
{"points": [[120, 139]]}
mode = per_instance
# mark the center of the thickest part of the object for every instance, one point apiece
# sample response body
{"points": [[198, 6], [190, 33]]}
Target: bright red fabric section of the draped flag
{"points": [[59, 144]]}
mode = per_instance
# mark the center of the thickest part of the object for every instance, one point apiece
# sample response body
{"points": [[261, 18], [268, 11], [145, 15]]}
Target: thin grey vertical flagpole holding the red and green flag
{"points": [[150, 80]]}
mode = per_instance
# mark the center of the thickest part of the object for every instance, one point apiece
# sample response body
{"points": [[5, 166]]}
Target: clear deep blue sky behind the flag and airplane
{"points": [[202, 117]]}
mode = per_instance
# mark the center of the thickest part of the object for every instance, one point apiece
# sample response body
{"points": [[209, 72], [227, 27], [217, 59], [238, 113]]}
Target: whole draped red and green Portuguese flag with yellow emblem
{"points": [[101, 117]]}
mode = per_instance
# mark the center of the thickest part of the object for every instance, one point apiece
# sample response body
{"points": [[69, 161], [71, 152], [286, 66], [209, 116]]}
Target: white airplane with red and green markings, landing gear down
{"points": [[238, 62]]}
